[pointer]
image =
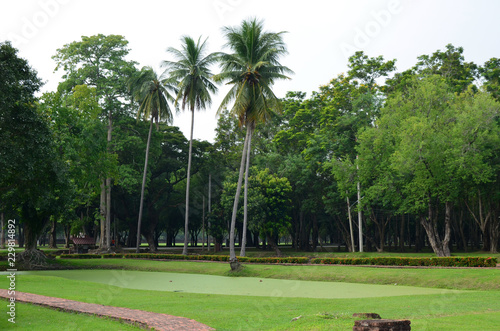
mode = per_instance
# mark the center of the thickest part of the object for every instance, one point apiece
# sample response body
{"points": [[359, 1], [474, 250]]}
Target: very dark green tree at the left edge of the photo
{"points": [[33, 180]]}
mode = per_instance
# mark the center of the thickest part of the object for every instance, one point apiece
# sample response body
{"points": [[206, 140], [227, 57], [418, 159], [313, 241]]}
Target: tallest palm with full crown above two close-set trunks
{"points": [[251, 69]]}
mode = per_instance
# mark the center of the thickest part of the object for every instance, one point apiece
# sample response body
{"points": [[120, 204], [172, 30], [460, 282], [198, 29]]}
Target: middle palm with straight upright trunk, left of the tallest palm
{"points": [[192, 71]]}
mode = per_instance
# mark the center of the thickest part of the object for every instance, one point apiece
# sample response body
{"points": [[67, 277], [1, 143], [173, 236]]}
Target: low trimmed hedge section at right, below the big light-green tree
{"points": [[413, 261]]}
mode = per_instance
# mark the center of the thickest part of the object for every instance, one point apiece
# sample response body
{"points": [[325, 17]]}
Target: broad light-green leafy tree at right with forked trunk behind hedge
{"points": [[432, 138]]}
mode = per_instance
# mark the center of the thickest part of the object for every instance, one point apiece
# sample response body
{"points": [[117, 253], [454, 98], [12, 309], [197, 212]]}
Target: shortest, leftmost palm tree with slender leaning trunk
{"points": [[153, 95]]}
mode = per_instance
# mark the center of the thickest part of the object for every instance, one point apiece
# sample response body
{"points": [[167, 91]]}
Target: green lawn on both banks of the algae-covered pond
{"points": [[461, 310]]}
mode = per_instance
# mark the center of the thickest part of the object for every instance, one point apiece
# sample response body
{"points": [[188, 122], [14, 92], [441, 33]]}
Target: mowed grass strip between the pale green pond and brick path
{"points": [[473, 309]]}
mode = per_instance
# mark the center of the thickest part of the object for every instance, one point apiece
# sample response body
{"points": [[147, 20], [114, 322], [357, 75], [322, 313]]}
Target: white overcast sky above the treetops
{"points": [[322, 34]]}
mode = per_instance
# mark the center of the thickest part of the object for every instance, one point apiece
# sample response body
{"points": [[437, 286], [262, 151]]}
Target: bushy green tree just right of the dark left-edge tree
{"points": [[80, 141]]}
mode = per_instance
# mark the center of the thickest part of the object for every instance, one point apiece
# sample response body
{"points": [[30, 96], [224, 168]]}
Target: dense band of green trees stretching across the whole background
{"points": [[420, 148]]}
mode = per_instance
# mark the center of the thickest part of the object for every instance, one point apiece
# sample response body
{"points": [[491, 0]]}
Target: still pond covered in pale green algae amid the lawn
{"points": [[209, 284]]}
